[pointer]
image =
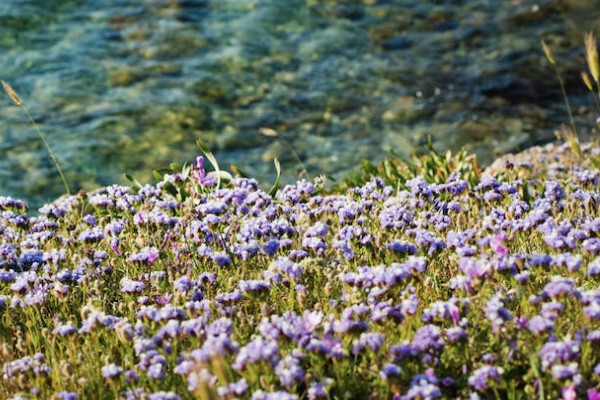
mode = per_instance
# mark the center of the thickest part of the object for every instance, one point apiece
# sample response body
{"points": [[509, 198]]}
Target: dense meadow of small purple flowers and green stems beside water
{"points": [[197, 288]]}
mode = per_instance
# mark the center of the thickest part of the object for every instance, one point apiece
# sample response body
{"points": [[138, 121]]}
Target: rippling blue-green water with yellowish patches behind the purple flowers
{"points": [[127, 86]]}
